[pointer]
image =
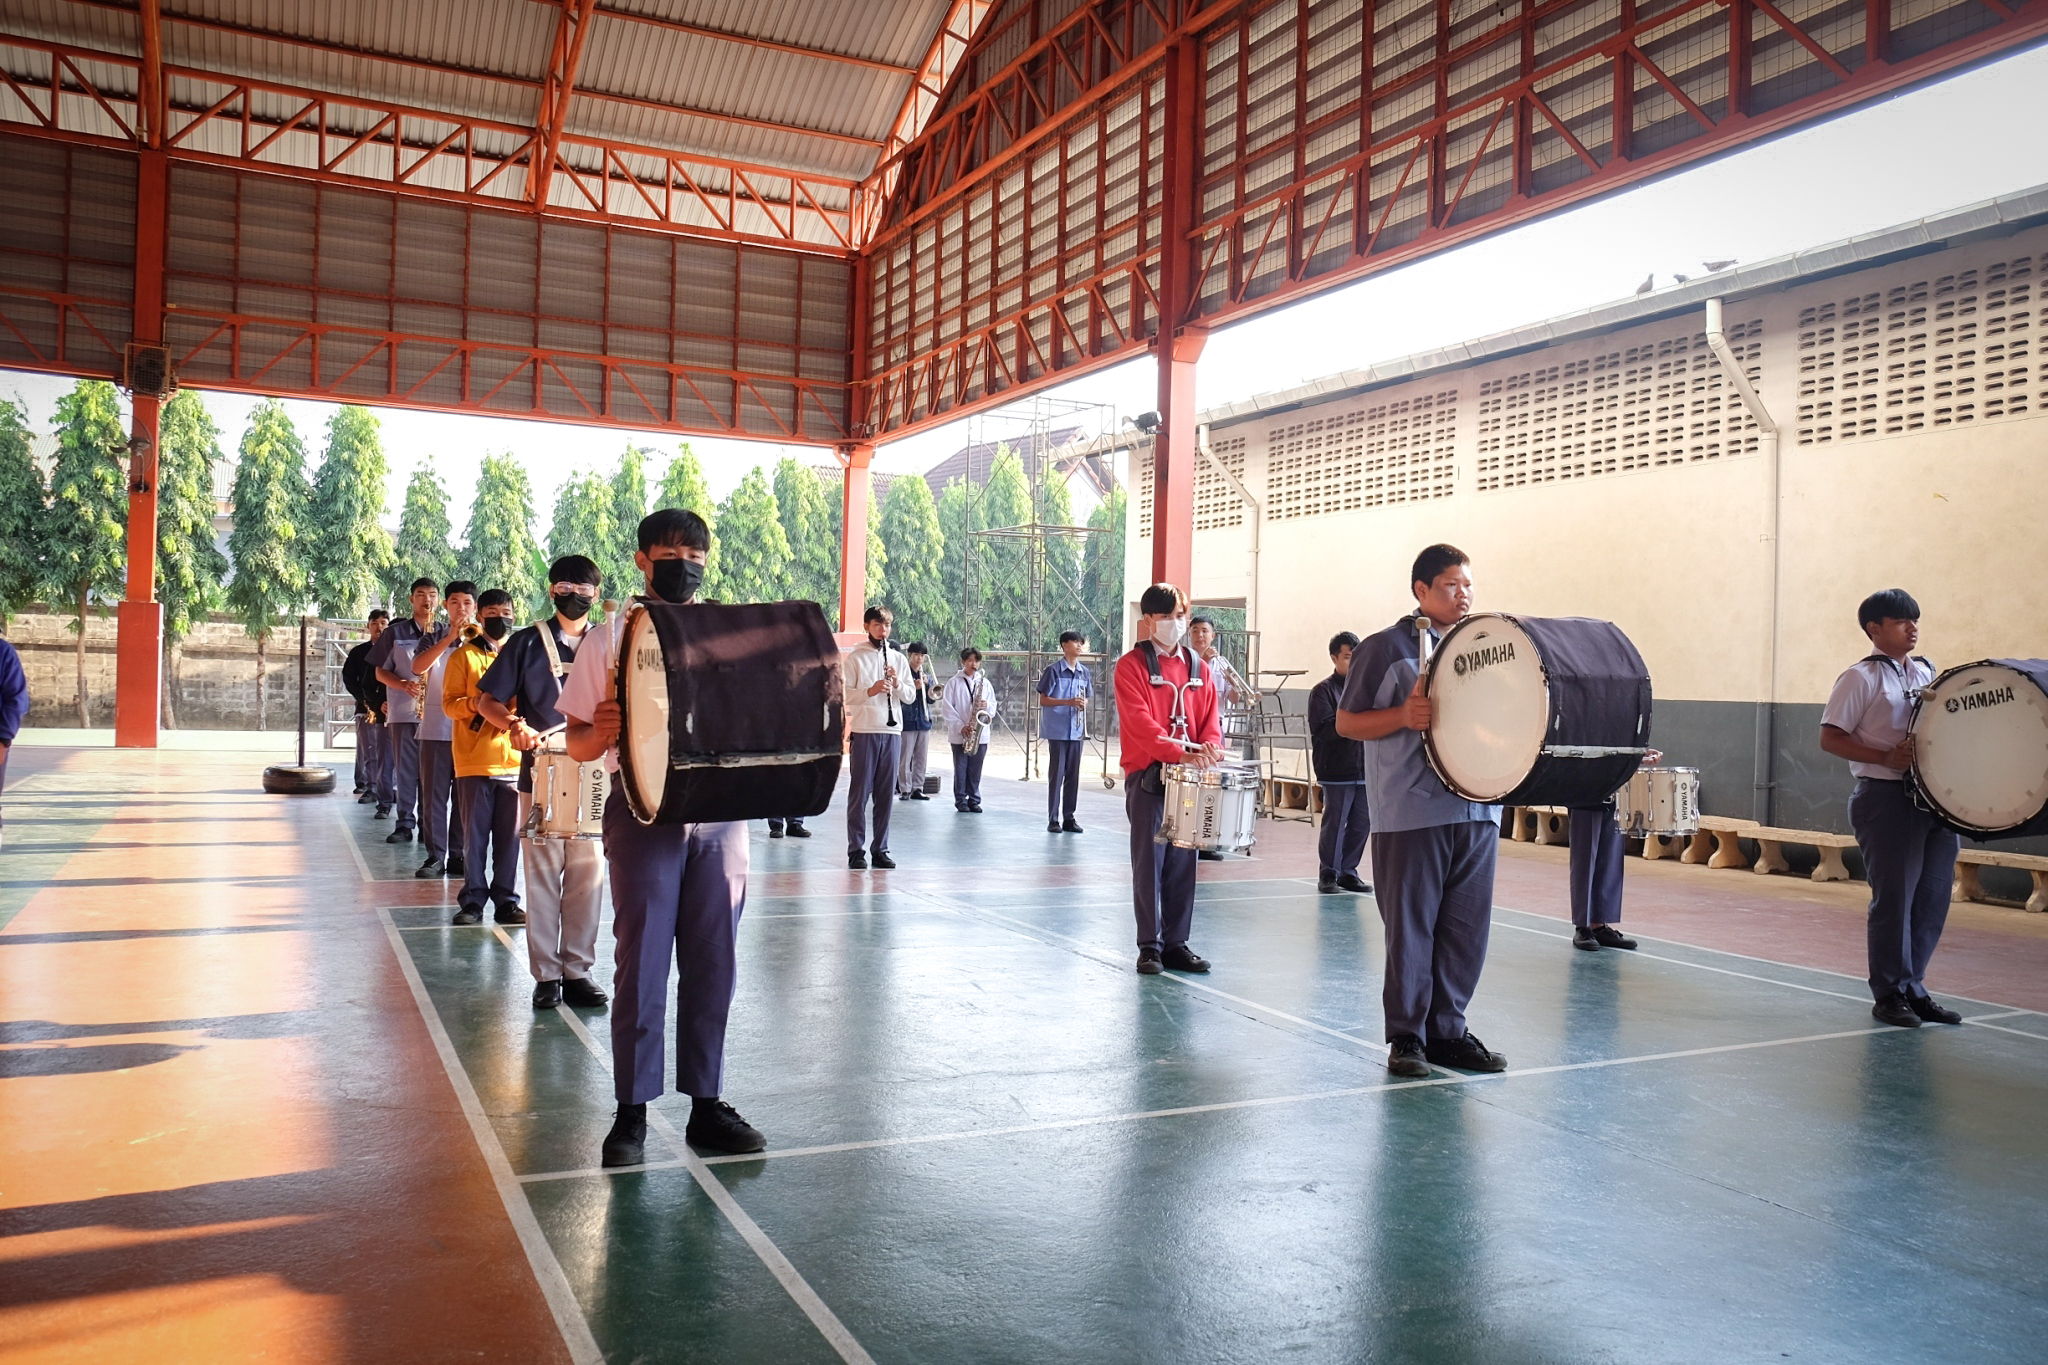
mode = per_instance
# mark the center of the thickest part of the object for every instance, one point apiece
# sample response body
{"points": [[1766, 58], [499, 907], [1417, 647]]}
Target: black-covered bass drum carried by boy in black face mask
{"points": [[728, 713]]}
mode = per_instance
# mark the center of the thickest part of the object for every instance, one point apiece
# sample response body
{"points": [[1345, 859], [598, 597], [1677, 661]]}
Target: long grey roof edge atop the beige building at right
{"points": [[1994, 216]]}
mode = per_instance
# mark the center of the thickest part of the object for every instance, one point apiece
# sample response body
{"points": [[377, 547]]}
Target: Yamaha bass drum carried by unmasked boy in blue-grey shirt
{"points": [[1537, 711]]}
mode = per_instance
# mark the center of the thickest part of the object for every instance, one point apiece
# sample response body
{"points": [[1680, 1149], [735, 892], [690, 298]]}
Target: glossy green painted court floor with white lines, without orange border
{"points": [[992, 1141]]}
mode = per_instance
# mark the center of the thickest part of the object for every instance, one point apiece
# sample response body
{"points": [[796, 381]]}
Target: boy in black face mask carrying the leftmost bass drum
{"points": [[677, 893]]}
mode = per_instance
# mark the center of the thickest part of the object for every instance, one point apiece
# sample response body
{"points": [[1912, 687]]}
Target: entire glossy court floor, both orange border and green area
{"points": [[263, 1102]]}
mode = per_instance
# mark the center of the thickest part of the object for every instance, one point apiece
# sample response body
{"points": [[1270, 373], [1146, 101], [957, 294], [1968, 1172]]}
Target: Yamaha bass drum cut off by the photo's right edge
{"points": [[1981, 748]]}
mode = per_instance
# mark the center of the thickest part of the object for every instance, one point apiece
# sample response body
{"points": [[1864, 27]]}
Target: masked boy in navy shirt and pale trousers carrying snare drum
{"points": [[564, 877]]}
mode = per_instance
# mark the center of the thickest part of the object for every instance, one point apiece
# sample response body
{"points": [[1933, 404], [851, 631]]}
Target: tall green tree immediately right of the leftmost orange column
{"points": [[189, 566]]}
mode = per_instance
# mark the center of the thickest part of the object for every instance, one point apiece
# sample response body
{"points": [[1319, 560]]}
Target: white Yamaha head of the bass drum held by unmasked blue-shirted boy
{"points": [[1492, 707]]}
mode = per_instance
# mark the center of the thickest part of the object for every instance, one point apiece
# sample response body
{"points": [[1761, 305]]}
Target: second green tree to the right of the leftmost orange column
{"points": [[269, 539]]}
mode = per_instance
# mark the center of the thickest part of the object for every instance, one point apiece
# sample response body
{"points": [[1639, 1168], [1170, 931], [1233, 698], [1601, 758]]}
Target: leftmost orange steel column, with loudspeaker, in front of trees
{"points": [[140, 625]]}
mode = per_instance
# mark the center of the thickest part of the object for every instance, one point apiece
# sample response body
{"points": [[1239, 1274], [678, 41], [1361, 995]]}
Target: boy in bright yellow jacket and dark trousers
{"points": [[486, 773]]}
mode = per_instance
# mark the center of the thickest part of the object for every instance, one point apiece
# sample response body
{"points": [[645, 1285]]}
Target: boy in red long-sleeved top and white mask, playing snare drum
{"points": [[1166, 713]]}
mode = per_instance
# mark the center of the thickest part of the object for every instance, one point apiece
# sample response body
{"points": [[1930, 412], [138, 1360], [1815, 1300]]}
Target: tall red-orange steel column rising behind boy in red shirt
{"points": [[1179, 345]]}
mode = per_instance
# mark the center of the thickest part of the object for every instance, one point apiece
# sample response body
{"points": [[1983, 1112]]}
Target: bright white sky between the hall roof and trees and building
{"points": [[1945, 146]]}
